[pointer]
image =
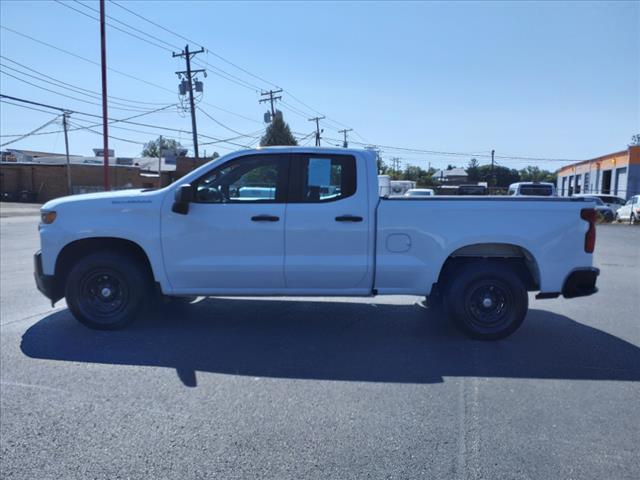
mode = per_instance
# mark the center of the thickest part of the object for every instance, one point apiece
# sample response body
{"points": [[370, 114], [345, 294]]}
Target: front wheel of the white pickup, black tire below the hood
{"points": [[107, 291]]}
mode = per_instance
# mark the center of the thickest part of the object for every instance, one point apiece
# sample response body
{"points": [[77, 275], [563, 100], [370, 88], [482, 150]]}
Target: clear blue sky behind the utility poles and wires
{"points": [[535, 79]]}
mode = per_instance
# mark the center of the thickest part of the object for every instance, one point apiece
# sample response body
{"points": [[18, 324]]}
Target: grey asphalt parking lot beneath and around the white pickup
{"points": [[321, 388]]}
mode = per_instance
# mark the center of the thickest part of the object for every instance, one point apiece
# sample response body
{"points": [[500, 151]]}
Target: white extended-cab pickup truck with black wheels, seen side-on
{"points": [[309, 222]]}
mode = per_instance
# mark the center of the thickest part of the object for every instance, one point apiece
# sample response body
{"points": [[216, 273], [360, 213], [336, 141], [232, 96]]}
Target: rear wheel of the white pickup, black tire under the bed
{"points": [[487, 300]]}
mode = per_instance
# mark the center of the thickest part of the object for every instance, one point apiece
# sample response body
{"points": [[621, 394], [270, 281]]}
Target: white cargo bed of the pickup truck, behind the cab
{"points": [[414, 237]]}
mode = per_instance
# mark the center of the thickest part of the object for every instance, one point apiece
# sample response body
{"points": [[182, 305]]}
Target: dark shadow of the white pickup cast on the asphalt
{"points": [[335, 341]]}
